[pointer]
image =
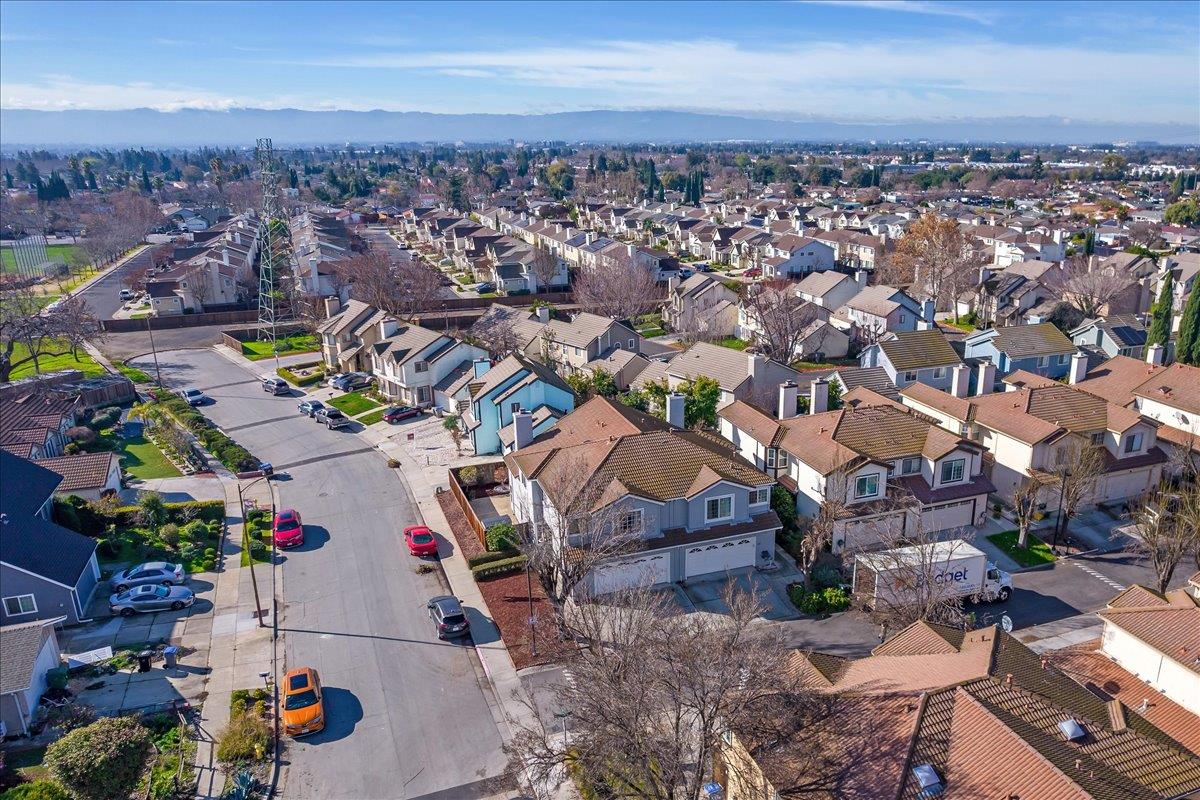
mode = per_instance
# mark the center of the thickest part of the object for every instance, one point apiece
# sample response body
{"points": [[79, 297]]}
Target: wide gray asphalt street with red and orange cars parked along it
{"points": [[409, 717]]}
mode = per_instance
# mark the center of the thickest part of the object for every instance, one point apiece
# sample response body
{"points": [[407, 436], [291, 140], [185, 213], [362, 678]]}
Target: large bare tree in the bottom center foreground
{"points": [[651, 694]]}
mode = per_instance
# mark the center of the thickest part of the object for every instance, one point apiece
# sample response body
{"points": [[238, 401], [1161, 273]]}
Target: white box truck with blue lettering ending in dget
{"points": [[957, 566]]}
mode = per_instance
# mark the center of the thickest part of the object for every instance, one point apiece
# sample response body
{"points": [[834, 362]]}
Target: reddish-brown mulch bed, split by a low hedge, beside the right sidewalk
{"points": [[508, 600]]}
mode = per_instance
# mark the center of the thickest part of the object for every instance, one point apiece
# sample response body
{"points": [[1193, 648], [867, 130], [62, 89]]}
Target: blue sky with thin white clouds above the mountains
{"points": [[869, 61]]}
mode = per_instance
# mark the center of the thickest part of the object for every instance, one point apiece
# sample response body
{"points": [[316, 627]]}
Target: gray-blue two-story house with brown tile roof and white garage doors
{"points": [[693, 506]]}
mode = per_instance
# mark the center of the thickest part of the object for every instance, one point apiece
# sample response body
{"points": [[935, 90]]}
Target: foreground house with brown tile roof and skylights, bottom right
{"points": [[940, 712]]}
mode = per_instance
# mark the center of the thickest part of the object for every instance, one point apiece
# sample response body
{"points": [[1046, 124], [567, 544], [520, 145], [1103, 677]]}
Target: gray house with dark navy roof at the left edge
{"points": [[46, 572]]}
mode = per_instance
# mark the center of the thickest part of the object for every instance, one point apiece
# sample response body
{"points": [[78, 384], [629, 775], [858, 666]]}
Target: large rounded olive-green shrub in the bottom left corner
{"points": [[101, 761]]}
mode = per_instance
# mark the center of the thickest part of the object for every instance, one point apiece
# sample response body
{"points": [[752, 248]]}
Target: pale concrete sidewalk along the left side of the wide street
{"points": [[239, 648]]}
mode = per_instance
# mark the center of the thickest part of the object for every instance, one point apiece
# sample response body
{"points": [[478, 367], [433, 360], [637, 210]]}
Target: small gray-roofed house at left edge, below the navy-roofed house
{"points": [[28, 652]]}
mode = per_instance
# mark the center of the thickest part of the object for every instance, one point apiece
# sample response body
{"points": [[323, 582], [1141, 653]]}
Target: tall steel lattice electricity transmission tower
{"points": [[274, 249]]}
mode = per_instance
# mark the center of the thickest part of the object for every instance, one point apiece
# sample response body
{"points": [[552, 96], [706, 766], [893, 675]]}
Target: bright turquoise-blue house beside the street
{"points": [[495, 394]]}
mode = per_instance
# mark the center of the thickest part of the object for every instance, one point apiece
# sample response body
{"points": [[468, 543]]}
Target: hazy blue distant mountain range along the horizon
{"points": [[188, 128]]}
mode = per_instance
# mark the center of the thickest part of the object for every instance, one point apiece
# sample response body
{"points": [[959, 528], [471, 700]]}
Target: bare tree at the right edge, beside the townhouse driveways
{"points": [[1168, 531]]}
